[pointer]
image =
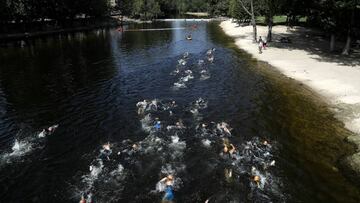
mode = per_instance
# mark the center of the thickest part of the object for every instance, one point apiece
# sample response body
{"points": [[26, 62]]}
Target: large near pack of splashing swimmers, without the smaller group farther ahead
{"points": [[231, 154]]}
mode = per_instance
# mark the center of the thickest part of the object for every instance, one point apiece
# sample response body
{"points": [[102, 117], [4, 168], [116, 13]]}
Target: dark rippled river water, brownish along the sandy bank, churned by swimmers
{"points": [[90, 83]]}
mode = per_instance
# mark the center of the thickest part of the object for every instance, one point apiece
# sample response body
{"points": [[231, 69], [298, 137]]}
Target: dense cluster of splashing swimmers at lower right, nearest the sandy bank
{"points": [[251, 160]]}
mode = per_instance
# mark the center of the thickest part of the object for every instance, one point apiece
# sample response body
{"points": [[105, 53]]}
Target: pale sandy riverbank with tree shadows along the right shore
{"points": [[304, 59]]}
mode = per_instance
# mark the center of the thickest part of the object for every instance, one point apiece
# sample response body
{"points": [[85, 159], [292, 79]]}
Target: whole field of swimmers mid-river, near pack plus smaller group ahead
{"points": [[231, 154]]}
